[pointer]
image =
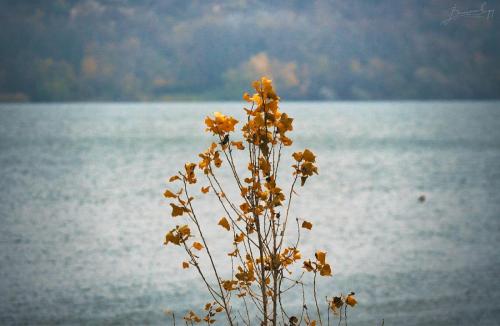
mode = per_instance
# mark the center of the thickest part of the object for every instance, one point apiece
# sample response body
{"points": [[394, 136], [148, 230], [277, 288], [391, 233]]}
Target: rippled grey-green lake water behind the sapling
{"points": [[82, 216]]}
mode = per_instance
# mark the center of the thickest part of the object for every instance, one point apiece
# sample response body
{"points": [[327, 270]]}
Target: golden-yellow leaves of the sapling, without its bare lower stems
{"points": [[265, 130]]}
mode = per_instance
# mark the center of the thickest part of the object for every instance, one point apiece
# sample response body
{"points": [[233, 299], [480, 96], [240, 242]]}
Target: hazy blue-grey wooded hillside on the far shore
{"points": [[175, 49]]}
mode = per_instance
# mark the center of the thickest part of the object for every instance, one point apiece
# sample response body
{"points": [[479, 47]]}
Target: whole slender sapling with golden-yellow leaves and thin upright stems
{"points": [[261, 273]]}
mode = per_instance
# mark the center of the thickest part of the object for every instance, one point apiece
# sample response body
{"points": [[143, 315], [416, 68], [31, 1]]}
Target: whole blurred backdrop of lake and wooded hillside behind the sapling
{"points": [[105, 100]]}
